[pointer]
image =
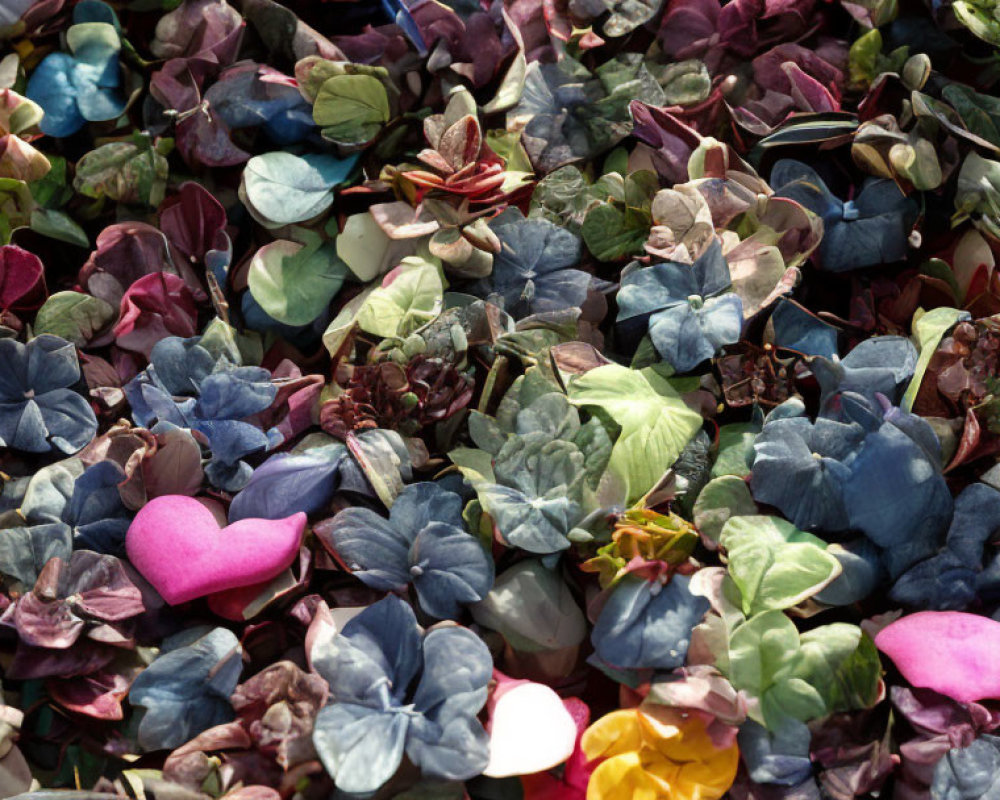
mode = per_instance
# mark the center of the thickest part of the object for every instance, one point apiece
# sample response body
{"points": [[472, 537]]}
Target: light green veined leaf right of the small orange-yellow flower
{"points": [[775, 565]]}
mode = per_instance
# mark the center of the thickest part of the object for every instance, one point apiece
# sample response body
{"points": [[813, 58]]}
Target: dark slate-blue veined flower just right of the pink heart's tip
{"points": [[424, 543]]}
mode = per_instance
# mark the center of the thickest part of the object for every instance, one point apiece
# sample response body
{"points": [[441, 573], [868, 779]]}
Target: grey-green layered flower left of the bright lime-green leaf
{"points": [[539, 465]]}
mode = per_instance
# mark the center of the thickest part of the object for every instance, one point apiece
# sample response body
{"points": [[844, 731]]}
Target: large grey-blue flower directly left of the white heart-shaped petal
{"points": [[396, 690]]}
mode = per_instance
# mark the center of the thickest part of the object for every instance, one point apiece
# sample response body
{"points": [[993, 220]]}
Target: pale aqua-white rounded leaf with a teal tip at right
{"points": [[281, 188]]}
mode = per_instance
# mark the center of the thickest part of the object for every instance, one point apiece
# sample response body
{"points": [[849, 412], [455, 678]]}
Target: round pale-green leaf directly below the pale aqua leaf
{"points": [[293, 283]]}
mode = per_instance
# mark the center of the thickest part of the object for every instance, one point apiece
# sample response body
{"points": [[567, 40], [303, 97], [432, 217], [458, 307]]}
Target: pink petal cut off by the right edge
{"points": [[951, 652]]}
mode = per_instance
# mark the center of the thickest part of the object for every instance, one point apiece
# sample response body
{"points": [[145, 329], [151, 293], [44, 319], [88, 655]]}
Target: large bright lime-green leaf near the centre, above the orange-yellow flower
{"points": [[655, 422]]}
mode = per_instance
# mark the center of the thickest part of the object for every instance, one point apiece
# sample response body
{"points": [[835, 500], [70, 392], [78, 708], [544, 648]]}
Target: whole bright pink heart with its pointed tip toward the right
{"points": [[177, 545]]}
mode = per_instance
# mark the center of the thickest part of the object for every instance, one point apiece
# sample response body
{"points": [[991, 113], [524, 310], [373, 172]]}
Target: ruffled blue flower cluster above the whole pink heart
{"points": [[199, 385]]}
